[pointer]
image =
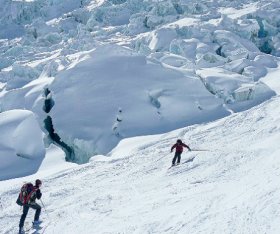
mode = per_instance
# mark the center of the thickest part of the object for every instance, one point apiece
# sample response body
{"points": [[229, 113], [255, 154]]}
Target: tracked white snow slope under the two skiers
{"points": [[231, 188]]}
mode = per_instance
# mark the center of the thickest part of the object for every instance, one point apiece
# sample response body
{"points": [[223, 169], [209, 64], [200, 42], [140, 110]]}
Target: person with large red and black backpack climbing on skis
{"points": [[27, 197]]}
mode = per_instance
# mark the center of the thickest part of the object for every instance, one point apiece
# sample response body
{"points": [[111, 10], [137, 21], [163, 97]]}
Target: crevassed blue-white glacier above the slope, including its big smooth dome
{"points": [[180, 62]]}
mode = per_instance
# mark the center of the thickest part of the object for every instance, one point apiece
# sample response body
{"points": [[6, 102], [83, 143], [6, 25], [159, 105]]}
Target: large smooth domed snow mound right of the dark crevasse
{"points": [[113, 93]]}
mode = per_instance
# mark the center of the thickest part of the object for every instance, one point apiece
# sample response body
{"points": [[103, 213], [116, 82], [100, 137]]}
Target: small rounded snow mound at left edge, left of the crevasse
{"points": [[21, 144]]}
